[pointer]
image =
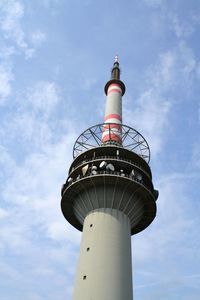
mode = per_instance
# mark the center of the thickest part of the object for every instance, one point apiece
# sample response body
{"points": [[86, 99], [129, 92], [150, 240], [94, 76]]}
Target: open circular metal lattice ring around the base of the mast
{"points": [[131, 140]]}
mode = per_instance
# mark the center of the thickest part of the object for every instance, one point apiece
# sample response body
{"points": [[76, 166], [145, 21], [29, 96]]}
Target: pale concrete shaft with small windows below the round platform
{"points": [[104, 268]]}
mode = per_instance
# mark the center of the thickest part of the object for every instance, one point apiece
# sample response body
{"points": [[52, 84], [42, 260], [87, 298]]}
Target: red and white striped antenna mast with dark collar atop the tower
{"points": [[114, 90]]}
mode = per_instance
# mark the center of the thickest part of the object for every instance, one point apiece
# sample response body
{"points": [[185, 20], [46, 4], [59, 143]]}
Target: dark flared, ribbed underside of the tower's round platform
{"points": [[109, 191]]}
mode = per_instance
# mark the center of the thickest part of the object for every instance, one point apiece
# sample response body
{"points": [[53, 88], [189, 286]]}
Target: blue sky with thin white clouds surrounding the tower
{"points": [[55, 57]]}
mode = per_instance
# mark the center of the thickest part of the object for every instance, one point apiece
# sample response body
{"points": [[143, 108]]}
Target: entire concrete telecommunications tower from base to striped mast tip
{"points": [[109, 195]]}
